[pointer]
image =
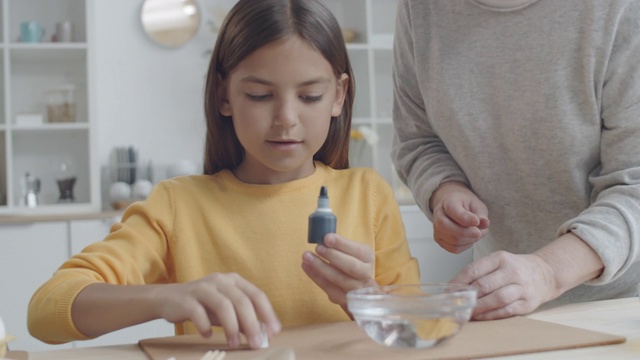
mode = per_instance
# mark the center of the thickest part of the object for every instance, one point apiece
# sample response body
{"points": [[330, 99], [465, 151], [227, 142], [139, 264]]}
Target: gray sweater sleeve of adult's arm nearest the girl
{"points": [[418, 154]]}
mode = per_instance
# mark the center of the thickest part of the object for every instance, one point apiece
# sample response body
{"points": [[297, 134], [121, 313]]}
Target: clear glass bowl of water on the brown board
{"points": [[412, 316]]}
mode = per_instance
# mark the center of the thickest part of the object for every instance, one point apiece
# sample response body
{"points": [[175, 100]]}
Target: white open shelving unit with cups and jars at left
{"points": [[34, 137]]}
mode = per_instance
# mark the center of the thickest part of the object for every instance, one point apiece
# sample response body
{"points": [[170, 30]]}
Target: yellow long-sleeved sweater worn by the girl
{"points": [[197, 225]]}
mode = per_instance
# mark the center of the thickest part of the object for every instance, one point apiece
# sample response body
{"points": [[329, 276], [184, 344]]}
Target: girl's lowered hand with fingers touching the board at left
{"points": [[226, 300]]}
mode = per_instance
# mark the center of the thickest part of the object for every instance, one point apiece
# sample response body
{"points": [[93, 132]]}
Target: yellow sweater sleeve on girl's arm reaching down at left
{"points": [[134, 252]]}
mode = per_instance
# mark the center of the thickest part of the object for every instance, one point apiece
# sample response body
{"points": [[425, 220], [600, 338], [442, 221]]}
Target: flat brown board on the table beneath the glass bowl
{"points": [[517, 335]]}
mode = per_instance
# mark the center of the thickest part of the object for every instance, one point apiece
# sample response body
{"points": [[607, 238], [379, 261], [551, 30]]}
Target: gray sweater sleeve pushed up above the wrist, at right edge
{"points": [[611, 224]]}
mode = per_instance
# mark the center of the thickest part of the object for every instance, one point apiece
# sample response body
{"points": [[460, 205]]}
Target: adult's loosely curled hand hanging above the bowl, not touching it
{"points": [[460, 218]]}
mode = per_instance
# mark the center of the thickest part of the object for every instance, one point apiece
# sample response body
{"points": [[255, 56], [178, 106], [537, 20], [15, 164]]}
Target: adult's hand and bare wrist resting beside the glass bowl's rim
{"points": [[510, 284]]}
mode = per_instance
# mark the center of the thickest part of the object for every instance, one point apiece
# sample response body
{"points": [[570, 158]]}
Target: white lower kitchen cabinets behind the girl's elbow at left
{"points": [[29, 254]]}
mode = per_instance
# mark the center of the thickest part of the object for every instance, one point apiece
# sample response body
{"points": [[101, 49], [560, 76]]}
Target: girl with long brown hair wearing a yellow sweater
{"points": [[224, 249]]}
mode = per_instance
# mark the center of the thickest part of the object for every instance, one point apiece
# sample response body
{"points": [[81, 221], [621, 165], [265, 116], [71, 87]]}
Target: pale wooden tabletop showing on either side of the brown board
{"points": [[620, 317]]}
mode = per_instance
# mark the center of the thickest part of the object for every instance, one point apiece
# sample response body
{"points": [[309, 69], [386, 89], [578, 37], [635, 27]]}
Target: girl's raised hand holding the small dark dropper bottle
{"points": [[338, 266]]}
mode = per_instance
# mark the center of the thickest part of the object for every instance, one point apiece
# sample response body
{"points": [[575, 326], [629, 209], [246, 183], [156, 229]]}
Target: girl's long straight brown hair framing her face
{"points": [[251, 24]]}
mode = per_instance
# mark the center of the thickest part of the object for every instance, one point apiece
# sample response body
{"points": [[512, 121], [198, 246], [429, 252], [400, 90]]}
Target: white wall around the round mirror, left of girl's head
{"points": [[148, 96]]}
